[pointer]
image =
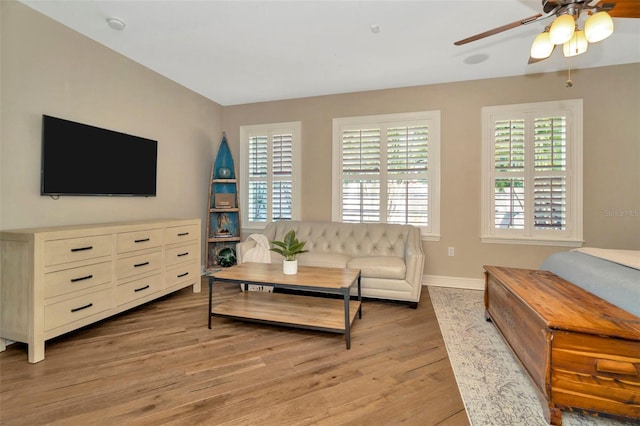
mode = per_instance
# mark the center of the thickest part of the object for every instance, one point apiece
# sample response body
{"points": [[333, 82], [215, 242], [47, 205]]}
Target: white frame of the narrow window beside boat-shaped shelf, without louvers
{"points": [[268, 130]]}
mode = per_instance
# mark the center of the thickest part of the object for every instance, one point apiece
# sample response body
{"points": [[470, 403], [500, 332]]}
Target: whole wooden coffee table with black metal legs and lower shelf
{"points": [[301, 311]]}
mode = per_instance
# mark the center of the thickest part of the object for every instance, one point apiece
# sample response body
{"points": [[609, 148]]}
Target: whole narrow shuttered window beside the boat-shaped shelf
{"points": [[270, 156]]}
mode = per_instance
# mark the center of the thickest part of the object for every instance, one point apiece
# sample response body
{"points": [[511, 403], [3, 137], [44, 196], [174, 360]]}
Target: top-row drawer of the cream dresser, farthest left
{"points": [[57, 252]]}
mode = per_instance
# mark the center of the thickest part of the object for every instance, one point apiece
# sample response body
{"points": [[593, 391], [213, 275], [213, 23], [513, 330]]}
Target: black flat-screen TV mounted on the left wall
{"points": [[78, 159]]}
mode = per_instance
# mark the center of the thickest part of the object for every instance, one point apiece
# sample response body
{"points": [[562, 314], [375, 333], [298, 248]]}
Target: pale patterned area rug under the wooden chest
{"points": [[494, 387]]}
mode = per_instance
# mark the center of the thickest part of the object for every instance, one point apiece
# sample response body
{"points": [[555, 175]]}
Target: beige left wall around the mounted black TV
{"points": [[49, 69]]}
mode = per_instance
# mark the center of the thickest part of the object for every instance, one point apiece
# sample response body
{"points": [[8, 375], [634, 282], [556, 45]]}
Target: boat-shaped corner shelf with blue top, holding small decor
{"points": [[223, 216]]}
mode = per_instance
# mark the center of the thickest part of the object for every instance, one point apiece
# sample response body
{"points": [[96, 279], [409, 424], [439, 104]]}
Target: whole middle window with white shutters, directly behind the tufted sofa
{"points": [[386, 169]]}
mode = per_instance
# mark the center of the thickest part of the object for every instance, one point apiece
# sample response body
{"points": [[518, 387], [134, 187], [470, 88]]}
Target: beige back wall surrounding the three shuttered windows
{"points": [[611, 155]]}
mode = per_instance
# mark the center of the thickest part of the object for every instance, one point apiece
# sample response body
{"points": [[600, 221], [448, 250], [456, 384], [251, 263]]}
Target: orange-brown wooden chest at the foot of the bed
{"points": [[581, 352]]}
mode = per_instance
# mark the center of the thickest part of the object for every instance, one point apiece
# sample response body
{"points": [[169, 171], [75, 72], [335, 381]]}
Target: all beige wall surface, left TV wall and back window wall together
{"points": [[48, 68]]}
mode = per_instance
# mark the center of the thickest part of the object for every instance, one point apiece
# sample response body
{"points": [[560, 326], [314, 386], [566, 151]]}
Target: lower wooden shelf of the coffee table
{"points": [[309, 312]]}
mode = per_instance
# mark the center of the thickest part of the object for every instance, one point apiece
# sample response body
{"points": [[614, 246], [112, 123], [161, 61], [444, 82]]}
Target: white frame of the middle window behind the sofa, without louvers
{"points": [[385, 121]]}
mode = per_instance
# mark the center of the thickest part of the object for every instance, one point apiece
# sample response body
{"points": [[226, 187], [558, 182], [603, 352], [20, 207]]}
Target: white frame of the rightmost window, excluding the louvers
{"points": [[572, 235]]}
